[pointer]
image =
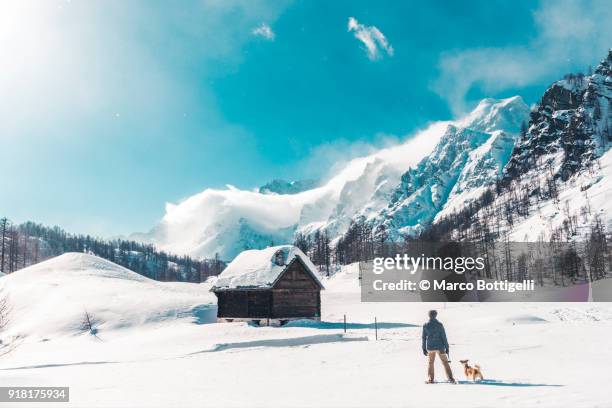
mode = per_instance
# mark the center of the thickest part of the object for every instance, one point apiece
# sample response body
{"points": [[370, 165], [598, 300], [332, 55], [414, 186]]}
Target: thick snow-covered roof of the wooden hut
{"points": [[260, 268]]}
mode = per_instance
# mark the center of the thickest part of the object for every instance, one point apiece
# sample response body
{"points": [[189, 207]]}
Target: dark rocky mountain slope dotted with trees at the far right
{"points": [[557, 182]]}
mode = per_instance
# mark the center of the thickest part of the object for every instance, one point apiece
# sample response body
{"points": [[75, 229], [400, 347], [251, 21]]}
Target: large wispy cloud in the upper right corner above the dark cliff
{"points": [[568, 32]]}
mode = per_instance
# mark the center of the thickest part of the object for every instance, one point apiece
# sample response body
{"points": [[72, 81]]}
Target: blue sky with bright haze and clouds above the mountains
{"points": [[109, 109]]}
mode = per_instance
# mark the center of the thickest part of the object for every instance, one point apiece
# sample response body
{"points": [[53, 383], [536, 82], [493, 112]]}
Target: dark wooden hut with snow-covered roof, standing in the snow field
{"points": [[269, 286]]}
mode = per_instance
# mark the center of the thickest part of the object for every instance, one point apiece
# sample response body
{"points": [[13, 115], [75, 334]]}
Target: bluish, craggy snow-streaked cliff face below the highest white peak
{"points": [[469, 157]]}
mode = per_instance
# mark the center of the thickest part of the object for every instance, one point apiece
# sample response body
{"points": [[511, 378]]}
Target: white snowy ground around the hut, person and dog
{"points": [[155, 347]]}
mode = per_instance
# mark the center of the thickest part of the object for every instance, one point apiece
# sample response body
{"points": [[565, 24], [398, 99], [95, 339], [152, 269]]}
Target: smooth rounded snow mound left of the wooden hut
{"points": [[52, 298]]}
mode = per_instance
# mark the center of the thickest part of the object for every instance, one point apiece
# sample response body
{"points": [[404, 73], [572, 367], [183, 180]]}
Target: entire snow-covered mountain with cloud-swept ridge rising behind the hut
{"points": [[403, 187]]}
